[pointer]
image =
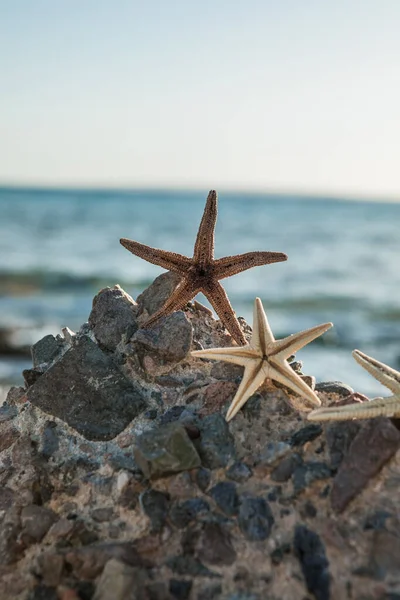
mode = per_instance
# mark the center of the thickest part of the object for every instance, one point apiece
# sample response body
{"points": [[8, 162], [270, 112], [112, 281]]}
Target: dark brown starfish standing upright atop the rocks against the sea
{"points": [[202, 272]]}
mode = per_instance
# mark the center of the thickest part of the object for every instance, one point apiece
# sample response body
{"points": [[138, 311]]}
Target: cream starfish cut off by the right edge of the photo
{"points": [[388, 407]]}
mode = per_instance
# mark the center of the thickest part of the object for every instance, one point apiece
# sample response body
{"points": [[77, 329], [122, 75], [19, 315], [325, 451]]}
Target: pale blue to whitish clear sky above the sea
{"points": [[284, 95]]}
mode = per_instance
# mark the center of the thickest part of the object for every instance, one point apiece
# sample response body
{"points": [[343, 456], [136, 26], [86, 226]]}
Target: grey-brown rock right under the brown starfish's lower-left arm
{"points": [[167, 342]]}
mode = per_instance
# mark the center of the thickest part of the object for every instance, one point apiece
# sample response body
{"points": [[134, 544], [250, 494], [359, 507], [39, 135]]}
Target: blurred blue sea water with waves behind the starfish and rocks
{"points": [[58, 248]]}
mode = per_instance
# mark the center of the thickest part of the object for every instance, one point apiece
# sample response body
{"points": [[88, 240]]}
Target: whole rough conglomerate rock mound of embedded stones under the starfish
{"points": [[120, 478]]}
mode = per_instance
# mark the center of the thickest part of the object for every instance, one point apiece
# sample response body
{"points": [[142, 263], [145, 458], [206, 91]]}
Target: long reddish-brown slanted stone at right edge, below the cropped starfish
{"points": [[373, 446]]}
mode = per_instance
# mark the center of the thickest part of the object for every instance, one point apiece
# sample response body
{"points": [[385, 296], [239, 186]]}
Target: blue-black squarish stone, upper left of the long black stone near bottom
{"points": [[255, 518]]}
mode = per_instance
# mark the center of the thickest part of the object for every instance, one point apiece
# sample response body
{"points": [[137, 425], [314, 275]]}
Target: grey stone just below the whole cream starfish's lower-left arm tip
{"points": [[216, 445]]}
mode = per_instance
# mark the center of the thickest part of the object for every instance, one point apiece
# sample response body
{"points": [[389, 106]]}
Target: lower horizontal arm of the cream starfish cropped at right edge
{"points": [[388, 407]]}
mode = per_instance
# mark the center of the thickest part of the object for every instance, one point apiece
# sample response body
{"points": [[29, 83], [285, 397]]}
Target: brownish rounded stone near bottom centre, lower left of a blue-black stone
{"points": [[215, 545]]}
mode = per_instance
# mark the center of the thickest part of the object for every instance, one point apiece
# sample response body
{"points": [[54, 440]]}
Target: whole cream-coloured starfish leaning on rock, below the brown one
{"points": [[266, 358]]}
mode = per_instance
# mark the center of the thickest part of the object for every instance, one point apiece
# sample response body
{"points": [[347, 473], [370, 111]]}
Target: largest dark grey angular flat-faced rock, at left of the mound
{"points": [[88, 392]]}
